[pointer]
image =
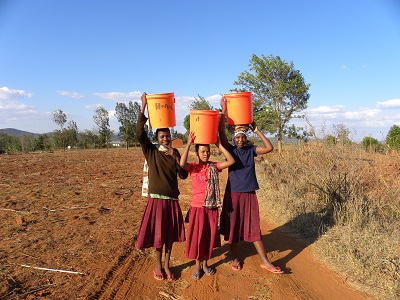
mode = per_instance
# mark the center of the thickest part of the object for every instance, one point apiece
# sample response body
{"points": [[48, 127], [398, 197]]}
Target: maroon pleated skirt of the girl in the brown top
{"points": [[162, 223]]}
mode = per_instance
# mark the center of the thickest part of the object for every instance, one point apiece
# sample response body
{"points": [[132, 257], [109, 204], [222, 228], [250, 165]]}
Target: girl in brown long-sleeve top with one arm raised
{"points": [[162, 221]]}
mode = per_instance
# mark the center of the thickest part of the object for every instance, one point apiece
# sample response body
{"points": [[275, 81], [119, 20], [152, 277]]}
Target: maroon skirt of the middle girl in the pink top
{"points": [[203, 234]]}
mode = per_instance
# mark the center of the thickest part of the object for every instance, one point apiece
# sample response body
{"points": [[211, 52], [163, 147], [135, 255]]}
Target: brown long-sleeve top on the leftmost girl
{"points": [[163, 169]]}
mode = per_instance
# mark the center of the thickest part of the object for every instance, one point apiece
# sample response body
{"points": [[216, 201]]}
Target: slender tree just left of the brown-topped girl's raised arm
{"points": [[127, 116]]}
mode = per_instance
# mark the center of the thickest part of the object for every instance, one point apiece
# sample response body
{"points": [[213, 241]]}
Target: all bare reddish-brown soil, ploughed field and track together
{"points": [[76, 214]]}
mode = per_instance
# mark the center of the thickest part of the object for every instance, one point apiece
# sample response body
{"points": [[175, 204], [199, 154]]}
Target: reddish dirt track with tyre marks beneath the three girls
{"points": [[304, 277]]}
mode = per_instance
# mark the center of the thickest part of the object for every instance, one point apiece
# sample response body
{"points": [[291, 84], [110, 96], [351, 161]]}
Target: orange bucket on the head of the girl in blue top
{"points": [[239, 108]]}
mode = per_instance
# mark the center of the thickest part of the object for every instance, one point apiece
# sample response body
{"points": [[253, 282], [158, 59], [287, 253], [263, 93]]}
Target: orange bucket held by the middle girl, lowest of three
{"points": [[204, 124]]}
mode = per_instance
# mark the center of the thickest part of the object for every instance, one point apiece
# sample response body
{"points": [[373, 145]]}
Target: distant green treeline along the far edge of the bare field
{"points": [[69, 136]]}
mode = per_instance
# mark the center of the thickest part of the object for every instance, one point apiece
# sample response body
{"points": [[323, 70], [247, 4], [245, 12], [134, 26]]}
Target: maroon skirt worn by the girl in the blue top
{"points": [[240, 217]]}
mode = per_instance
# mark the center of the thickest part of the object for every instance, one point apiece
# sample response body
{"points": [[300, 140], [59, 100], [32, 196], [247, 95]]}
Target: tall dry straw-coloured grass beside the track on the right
{"points": [[346, 201]]}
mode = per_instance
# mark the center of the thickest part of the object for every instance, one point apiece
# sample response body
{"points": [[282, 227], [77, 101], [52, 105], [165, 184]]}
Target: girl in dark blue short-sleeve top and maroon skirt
{"points": [[240, 217]]}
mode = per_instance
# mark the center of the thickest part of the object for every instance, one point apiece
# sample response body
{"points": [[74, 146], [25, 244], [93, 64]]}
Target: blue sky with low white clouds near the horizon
{"points": [[75, 55]]}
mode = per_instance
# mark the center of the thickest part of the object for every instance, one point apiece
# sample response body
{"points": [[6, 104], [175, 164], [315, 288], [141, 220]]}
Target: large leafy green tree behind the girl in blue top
{"points": [[278, 91]]}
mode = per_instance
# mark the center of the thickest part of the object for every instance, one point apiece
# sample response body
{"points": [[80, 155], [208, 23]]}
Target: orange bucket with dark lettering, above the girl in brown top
{"points": [[161, 108]]}
